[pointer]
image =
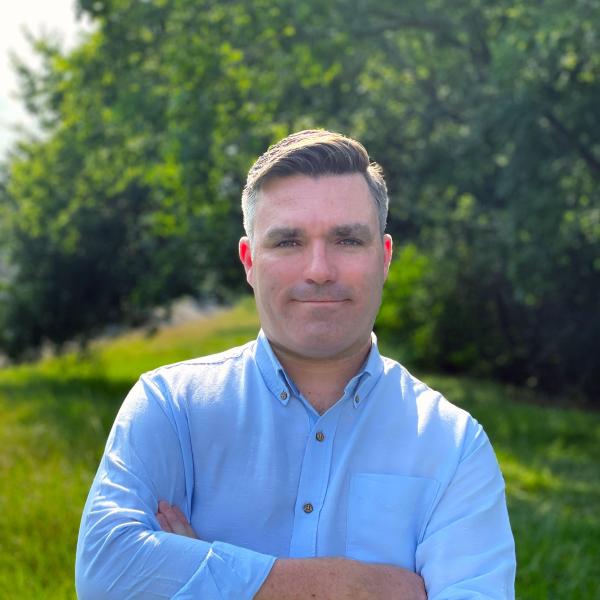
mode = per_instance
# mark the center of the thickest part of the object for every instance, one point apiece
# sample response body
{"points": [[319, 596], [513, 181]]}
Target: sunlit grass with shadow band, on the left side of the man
{"points": [[54, 418]]}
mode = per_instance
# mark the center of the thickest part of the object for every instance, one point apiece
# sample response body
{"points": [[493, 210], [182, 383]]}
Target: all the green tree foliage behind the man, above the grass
{"points": [[483, 114]]}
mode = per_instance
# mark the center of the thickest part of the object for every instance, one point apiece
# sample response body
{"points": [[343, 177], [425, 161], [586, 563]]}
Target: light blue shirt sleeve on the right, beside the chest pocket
{"points": [[467, 549]]}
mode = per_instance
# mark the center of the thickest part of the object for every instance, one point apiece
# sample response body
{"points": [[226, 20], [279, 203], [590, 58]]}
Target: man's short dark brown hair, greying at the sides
{"points": [[314, 152]]}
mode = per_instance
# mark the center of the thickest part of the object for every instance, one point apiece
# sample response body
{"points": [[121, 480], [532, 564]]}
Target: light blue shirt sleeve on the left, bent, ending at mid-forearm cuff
{"points": [[121, 550]]}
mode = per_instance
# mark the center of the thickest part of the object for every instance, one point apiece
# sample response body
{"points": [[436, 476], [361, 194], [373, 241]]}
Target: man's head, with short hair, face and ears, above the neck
{"points": [[316, 255]]}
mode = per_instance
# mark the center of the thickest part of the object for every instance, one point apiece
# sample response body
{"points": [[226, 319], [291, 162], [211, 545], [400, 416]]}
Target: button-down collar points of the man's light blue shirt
{"points": [[282, 387]]}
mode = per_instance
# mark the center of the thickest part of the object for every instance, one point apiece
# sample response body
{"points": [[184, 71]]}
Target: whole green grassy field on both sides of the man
{"points": [[55, 415]]}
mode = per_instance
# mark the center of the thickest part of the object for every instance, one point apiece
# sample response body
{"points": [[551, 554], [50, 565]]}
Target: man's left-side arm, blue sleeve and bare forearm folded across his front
{"points": [[123, 553]]}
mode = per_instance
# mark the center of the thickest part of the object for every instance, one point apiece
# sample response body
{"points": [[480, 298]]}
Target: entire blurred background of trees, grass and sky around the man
{"points": [[126, 130]]}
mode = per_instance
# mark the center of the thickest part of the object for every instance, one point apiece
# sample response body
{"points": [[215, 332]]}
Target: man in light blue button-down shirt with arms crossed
{"points": [[303, 464]]}
